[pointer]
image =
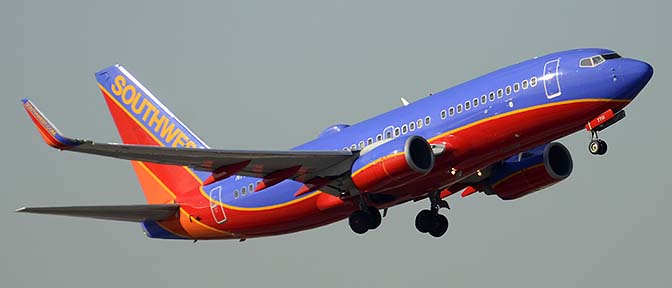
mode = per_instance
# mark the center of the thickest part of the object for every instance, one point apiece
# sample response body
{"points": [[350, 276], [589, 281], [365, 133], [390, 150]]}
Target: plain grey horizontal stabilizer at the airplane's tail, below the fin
{"points": [[129, 213]]}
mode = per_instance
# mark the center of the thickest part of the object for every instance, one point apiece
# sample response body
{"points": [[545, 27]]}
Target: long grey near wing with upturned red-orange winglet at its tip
{"points": [[304, 166]]}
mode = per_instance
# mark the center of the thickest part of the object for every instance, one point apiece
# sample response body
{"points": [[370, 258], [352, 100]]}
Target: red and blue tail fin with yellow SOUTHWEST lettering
{"points": [[142, 119]]}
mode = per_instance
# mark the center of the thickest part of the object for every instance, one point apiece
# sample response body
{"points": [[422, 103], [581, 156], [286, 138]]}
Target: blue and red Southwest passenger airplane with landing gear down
{"points": [[493, 134]]}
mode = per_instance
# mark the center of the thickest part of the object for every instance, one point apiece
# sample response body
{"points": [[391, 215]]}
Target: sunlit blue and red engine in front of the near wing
{"points": [[382, 164]]}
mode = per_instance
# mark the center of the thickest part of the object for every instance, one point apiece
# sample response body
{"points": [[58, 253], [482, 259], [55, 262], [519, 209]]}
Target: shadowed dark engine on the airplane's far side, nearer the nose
{"points": [[529, 171]]}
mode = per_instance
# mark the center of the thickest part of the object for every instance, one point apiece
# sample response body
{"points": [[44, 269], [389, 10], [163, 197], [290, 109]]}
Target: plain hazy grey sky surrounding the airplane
{"points": [[270, 75]]}
